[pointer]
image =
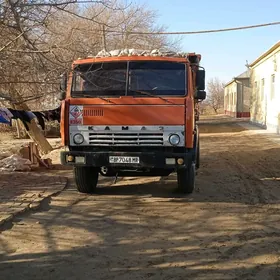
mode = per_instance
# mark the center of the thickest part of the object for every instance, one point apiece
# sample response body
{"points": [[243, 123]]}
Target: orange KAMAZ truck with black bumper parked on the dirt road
{"points": [[132, 115]]}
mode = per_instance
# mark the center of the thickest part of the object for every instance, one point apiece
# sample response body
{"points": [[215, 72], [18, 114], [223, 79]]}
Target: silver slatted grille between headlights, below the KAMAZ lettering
{"points": [[126, 138]]}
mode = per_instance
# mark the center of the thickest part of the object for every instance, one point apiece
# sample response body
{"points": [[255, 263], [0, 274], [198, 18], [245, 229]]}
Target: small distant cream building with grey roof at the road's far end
{"points": [[237, 94]]}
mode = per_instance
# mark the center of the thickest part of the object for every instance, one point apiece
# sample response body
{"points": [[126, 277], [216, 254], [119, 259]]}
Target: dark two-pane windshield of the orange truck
{"points": [[129, 78]]}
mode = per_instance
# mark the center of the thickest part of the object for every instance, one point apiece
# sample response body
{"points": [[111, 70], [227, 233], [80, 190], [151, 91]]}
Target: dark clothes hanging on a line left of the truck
{"points": [[8, 114]]}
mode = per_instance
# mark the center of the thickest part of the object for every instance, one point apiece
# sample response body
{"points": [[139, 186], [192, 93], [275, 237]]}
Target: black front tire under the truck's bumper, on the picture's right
{"points": [[186, 179]]}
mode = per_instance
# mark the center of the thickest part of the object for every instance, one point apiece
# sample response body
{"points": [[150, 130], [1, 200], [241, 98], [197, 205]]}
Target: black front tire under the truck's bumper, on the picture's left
{"points": [[86, 179]]}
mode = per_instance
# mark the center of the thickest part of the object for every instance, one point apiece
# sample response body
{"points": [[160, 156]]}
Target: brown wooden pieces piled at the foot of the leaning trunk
{"points": [[31, 152]]}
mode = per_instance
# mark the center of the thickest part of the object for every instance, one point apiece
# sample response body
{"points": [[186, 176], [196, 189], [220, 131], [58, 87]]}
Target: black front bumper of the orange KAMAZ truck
{"points": [[146, 159]]}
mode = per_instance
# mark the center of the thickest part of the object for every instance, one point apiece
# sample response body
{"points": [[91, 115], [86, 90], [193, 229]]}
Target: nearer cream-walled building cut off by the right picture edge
{"points": [[265, 80]]}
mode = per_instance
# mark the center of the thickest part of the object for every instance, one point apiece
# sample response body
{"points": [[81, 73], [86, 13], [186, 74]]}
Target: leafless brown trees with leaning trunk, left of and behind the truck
{"points": [[40, 39]]}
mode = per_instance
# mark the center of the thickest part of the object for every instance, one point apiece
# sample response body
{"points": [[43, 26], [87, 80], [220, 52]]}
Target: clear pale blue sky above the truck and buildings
{"points": [[224, 54]]}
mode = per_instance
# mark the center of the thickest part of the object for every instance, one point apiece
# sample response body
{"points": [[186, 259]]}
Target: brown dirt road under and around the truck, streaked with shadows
{"points": [[141, 229]]}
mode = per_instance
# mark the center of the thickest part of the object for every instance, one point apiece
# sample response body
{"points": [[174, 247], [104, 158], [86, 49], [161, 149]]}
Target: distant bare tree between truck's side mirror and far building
{"points": [[215, 96]]}
